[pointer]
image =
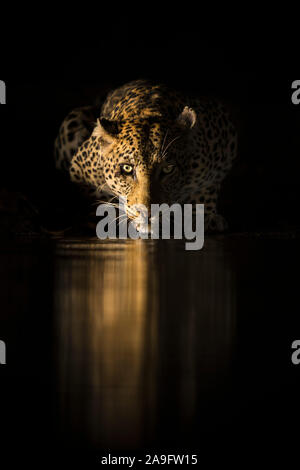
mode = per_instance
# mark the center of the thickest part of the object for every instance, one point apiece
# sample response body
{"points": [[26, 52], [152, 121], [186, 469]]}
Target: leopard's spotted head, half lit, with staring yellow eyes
{"points": [[144, 160]]}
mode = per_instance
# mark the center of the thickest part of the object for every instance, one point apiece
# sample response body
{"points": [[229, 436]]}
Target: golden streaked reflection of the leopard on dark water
{"points": [[144, 332]]}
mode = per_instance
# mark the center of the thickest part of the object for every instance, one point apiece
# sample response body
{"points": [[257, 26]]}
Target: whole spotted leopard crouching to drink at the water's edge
{"points": [[150, 144]]}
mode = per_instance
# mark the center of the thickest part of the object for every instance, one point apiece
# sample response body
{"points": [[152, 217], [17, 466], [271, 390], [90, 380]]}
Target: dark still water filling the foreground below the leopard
{"points": [[123, 346]]}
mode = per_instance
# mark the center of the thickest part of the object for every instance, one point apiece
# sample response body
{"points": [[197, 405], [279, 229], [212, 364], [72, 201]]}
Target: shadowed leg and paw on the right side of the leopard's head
{"points": [[208, 195]]}
